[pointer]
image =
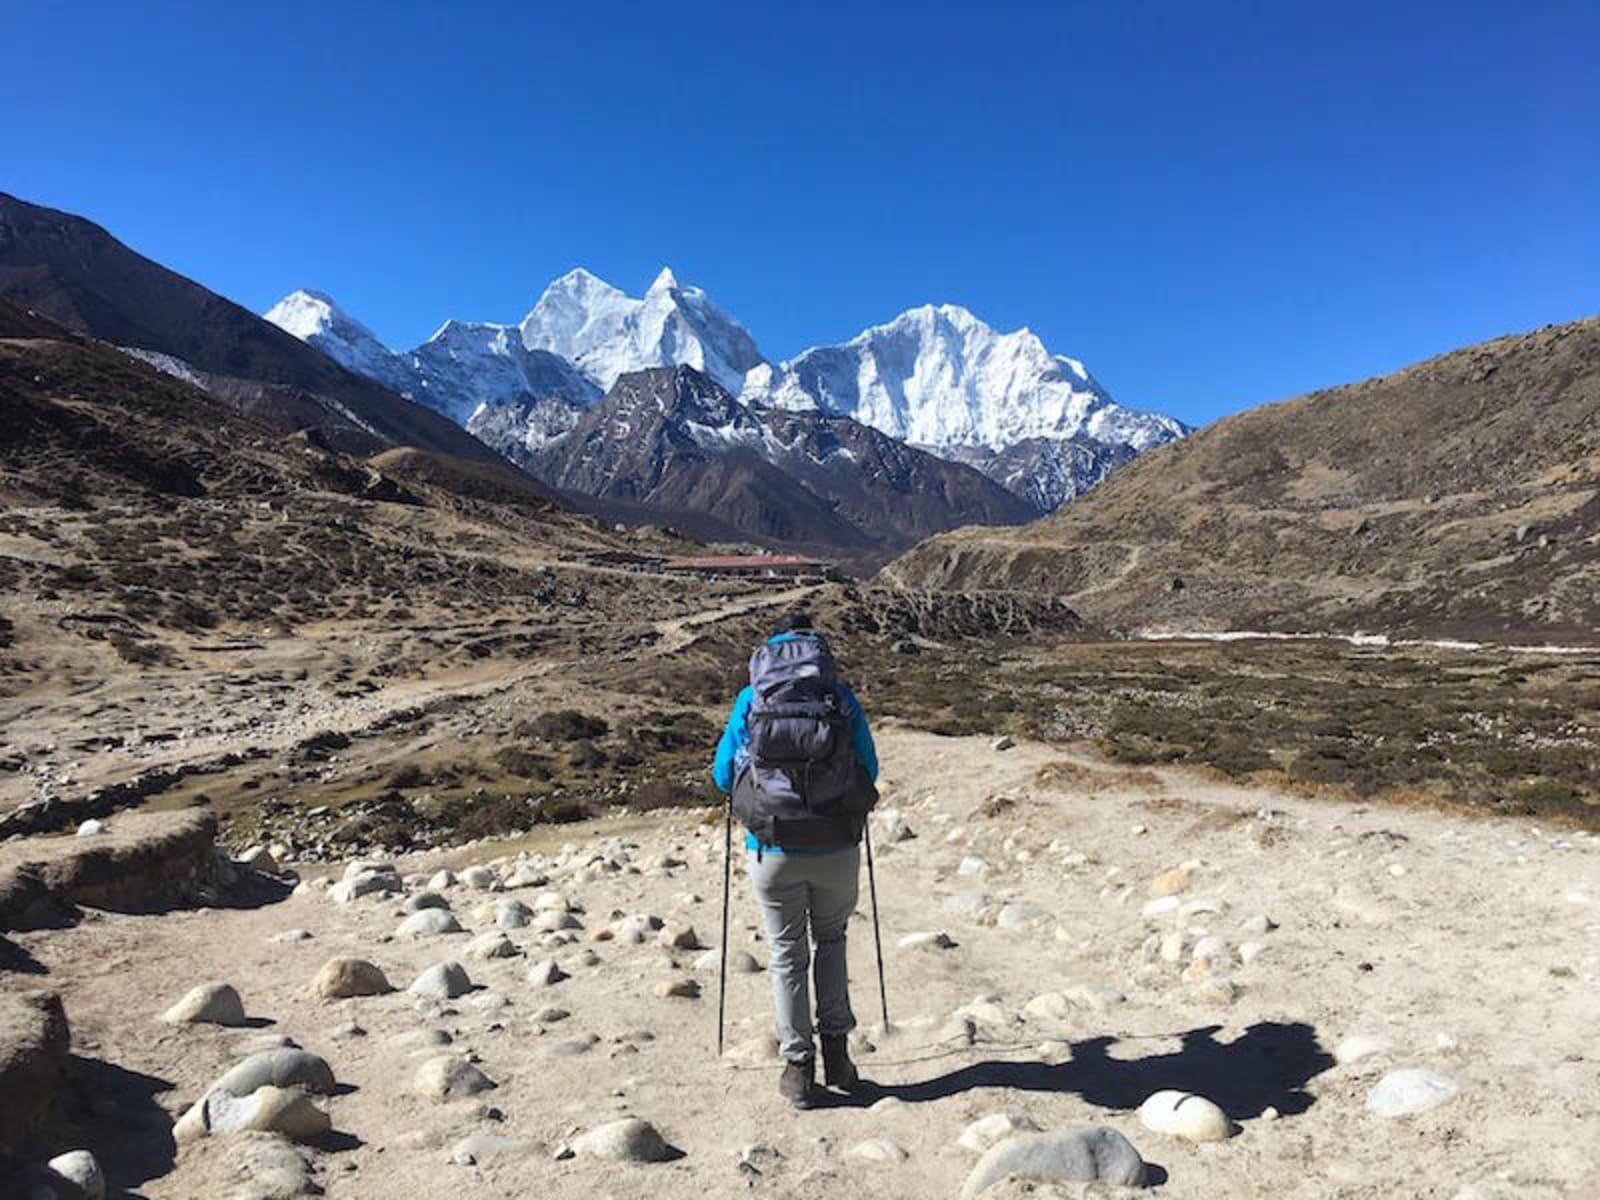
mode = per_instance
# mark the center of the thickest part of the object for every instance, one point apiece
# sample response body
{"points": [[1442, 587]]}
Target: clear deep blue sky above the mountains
{"points": [[1210, 204]]}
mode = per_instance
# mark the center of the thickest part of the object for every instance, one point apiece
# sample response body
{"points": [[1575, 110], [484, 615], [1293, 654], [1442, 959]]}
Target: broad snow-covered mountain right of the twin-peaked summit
{"points": [[938, 377]]}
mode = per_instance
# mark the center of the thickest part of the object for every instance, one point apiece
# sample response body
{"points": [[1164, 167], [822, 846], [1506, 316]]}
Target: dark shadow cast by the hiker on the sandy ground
{"points": [[1268, 1066]]}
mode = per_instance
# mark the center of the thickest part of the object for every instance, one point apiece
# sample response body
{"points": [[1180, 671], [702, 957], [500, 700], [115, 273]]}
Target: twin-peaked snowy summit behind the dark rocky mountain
{"points": [[607, 334]]}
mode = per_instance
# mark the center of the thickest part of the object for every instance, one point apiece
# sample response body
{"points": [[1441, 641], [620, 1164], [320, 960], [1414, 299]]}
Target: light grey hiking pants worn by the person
{"points": [[806, 905]]}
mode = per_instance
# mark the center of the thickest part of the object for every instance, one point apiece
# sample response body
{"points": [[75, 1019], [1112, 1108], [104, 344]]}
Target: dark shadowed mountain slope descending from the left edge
{"points": [[81, 276]]}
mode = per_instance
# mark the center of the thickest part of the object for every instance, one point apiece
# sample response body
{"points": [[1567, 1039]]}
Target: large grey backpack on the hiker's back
{"points": [[806, 788]]}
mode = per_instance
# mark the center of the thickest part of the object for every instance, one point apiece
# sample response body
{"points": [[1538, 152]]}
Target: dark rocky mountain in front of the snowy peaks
{"points": [[678, 444]]}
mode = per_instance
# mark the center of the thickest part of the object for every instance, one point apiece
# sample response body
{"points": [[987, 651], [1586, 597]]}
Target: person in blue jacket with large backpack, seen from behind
{"points": [[799, 764]]}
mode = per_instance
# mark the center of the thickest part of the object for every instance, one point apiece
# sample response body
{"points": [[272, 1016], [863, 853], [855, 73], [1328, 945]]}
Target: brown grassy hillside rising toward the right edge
{"points": [[1458, 495]]}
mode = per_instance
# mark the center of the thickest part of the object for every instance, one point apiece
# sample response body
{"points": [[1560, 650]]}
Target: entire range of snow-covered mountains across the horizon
{"points": [[937, 378]]}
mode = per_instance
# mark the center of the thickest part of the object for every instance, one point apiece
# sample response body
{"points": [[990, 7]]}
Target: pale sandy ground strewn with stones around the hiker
{"points": [[1473, 946]]}
